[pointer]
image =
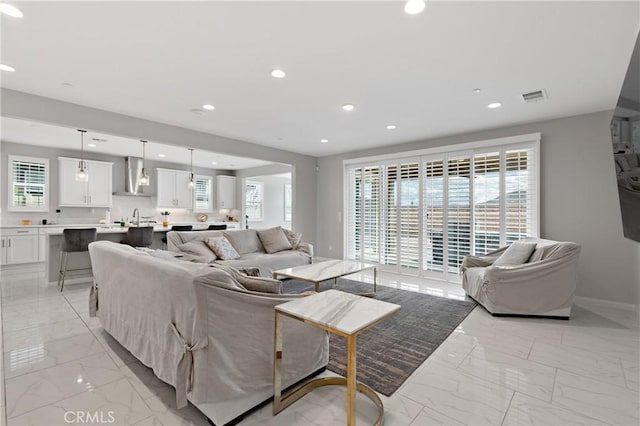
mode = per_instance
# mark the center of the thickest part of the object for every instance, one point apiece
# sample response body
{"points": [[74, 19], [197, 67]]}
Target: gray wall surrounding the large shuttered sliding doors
{"points": [[579, 199]]}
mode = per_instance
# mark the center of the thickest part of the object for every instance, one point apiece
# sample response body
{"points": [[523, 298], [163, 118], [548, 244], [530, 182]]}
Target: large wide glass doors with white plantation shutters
{"points": [[424, 213]]}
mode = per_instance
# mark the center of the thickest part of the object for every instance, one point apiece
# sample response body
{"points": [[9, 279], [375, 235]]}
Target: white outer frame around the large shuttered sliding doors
{"points": [[531, 140]]}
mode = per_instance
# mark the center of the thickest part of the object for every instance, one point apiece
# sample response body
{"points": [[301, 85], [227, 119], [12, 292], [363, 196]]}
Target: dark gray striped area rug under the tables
{"points": [[389, 352]]}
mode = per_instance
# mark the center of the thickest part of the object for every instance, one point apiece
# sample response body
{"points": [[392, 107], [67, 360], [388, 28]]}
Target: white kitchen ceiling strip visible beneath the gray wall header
{"points": [[50, 136]]}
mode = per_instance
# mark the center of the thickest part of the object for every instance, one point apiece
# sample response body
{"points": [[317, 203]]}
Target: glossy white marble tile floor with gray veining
{"points": [[490, 371]]}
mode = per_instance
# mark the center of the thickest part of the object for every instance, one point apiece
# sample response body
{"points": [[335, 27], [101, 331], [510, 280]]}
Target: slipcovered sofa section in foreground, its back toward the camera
{"points": [[180, 317]]}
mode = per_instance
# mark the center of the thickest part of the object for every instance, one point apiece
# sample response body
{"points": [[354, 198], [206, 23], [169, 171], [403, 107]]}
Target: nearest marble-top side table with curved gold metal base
{"points": [[340, 313]]}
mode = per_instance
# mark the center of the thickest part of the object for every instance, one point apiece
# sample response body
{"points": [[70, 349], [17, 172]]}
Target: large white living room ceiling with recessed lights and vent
{"points": [[159, 60]]}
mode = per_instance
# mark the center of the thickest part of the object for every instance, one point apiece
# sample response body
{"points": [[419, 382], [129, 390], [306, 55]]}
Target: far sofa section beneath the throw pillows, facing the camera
{"points": [[248, 244]]}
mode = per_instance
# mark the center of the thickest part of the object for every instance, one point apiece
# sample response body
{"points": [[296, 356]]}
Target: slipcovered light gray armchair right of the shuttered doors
{"points": [[543, 287]]}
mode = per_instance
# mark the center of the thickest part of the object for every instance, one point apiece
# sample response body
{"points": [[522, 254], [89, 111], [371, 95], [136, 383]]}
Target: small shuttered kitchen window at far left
{"points": [[28, 184]]}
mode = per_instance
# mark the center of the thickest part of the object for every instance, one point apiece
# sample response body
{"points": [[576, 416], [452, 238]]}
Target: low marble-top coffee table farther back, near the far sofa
{"points": [[327, 270]]}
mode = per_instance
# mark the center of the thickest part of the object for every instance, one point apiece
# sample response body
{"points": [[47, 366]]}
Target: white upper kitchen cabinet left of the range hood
{"points": [[96, 192]]}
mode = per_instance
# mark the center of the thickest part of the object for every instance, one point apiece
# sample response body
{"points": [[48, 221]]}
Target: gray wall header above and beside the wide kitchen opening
{"points": [[31, 107]]}
